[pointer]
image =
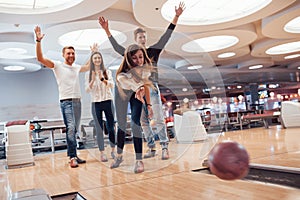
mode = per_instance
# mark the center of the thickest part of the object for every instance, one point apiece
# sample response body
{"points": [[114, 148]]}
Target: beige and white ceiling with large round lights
{"points": [[253, 28]]}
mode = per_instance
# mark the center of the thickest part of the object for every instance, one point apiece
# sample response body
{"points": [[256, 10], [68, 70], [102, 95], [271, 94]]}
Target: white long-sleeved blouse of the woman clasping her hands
{"points": [[100, 91]]}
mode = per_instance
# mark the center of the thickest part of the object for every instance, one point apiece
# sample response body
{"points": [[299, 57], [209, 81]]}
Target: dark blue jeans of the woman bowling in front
{"points": [[121, 104]]}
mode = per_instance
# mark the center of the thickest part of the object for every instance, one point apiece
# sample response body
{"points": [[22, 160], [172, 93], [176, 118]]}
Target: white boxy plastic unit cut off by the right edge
{"points": [[290, 114]]}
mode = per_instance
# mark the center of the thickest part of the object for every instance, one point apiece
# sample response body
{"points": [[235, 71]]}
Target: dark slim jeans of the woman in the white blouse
{"points": [[97, 109]]}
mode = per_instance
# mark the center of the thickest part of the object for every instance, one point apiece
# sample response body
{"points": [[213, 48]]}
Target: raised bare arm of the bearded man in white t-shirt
{"points": [[39, 54]]}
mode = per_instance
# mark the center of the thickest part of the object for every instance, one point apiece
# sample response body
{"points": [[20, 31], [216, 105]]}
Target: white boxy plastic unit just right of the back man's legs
{"points": [[189, 127]]}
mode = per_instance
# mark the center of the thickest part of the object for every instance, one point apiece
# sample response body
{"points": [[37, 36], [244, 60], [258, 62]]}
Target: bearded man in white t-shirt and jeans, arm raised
{"points": [[67, 77]]}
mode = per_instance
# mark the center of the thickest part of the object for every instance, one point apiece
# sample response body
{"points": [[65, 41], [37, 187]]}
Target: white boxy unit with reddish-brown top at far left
{"points": [[18, 144]]}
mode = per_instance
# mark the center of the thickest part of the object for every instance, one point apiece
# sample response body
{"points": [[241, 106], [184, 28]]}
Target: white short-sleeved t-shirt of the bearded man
{"points": [[67, 78]]}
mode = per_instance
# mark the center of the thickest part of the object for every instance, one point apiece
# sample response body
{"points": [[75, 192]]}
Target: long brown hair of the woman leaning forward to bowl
{"points": [[128, 64]]}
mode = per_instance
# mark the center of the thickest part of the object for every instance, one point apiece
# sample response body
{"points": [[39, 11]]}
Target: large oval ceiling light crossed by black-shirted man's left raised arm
{"points": [[83, 39]]}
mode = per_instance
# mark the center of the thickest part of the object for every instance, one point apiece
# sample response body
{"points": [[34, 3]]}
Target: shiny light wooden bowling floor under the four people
{"points": [[176, 178]]}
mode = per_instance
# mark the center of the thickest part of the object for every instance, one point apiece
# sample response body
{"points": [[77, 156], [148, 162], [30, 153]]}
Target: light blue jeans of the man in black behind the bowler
{"points": [[158, 116]]}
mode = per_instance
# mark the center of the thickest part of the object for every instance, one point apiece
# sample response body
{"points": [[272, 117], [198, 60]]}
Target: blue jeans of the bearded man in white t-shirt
{"points": [[71, 112]]}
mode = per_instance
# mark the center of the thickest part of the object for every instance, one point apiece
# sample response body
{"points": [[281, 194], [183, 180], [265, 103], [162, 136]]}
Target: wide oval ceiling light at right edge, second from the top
{"points": [[284, 48]]}
